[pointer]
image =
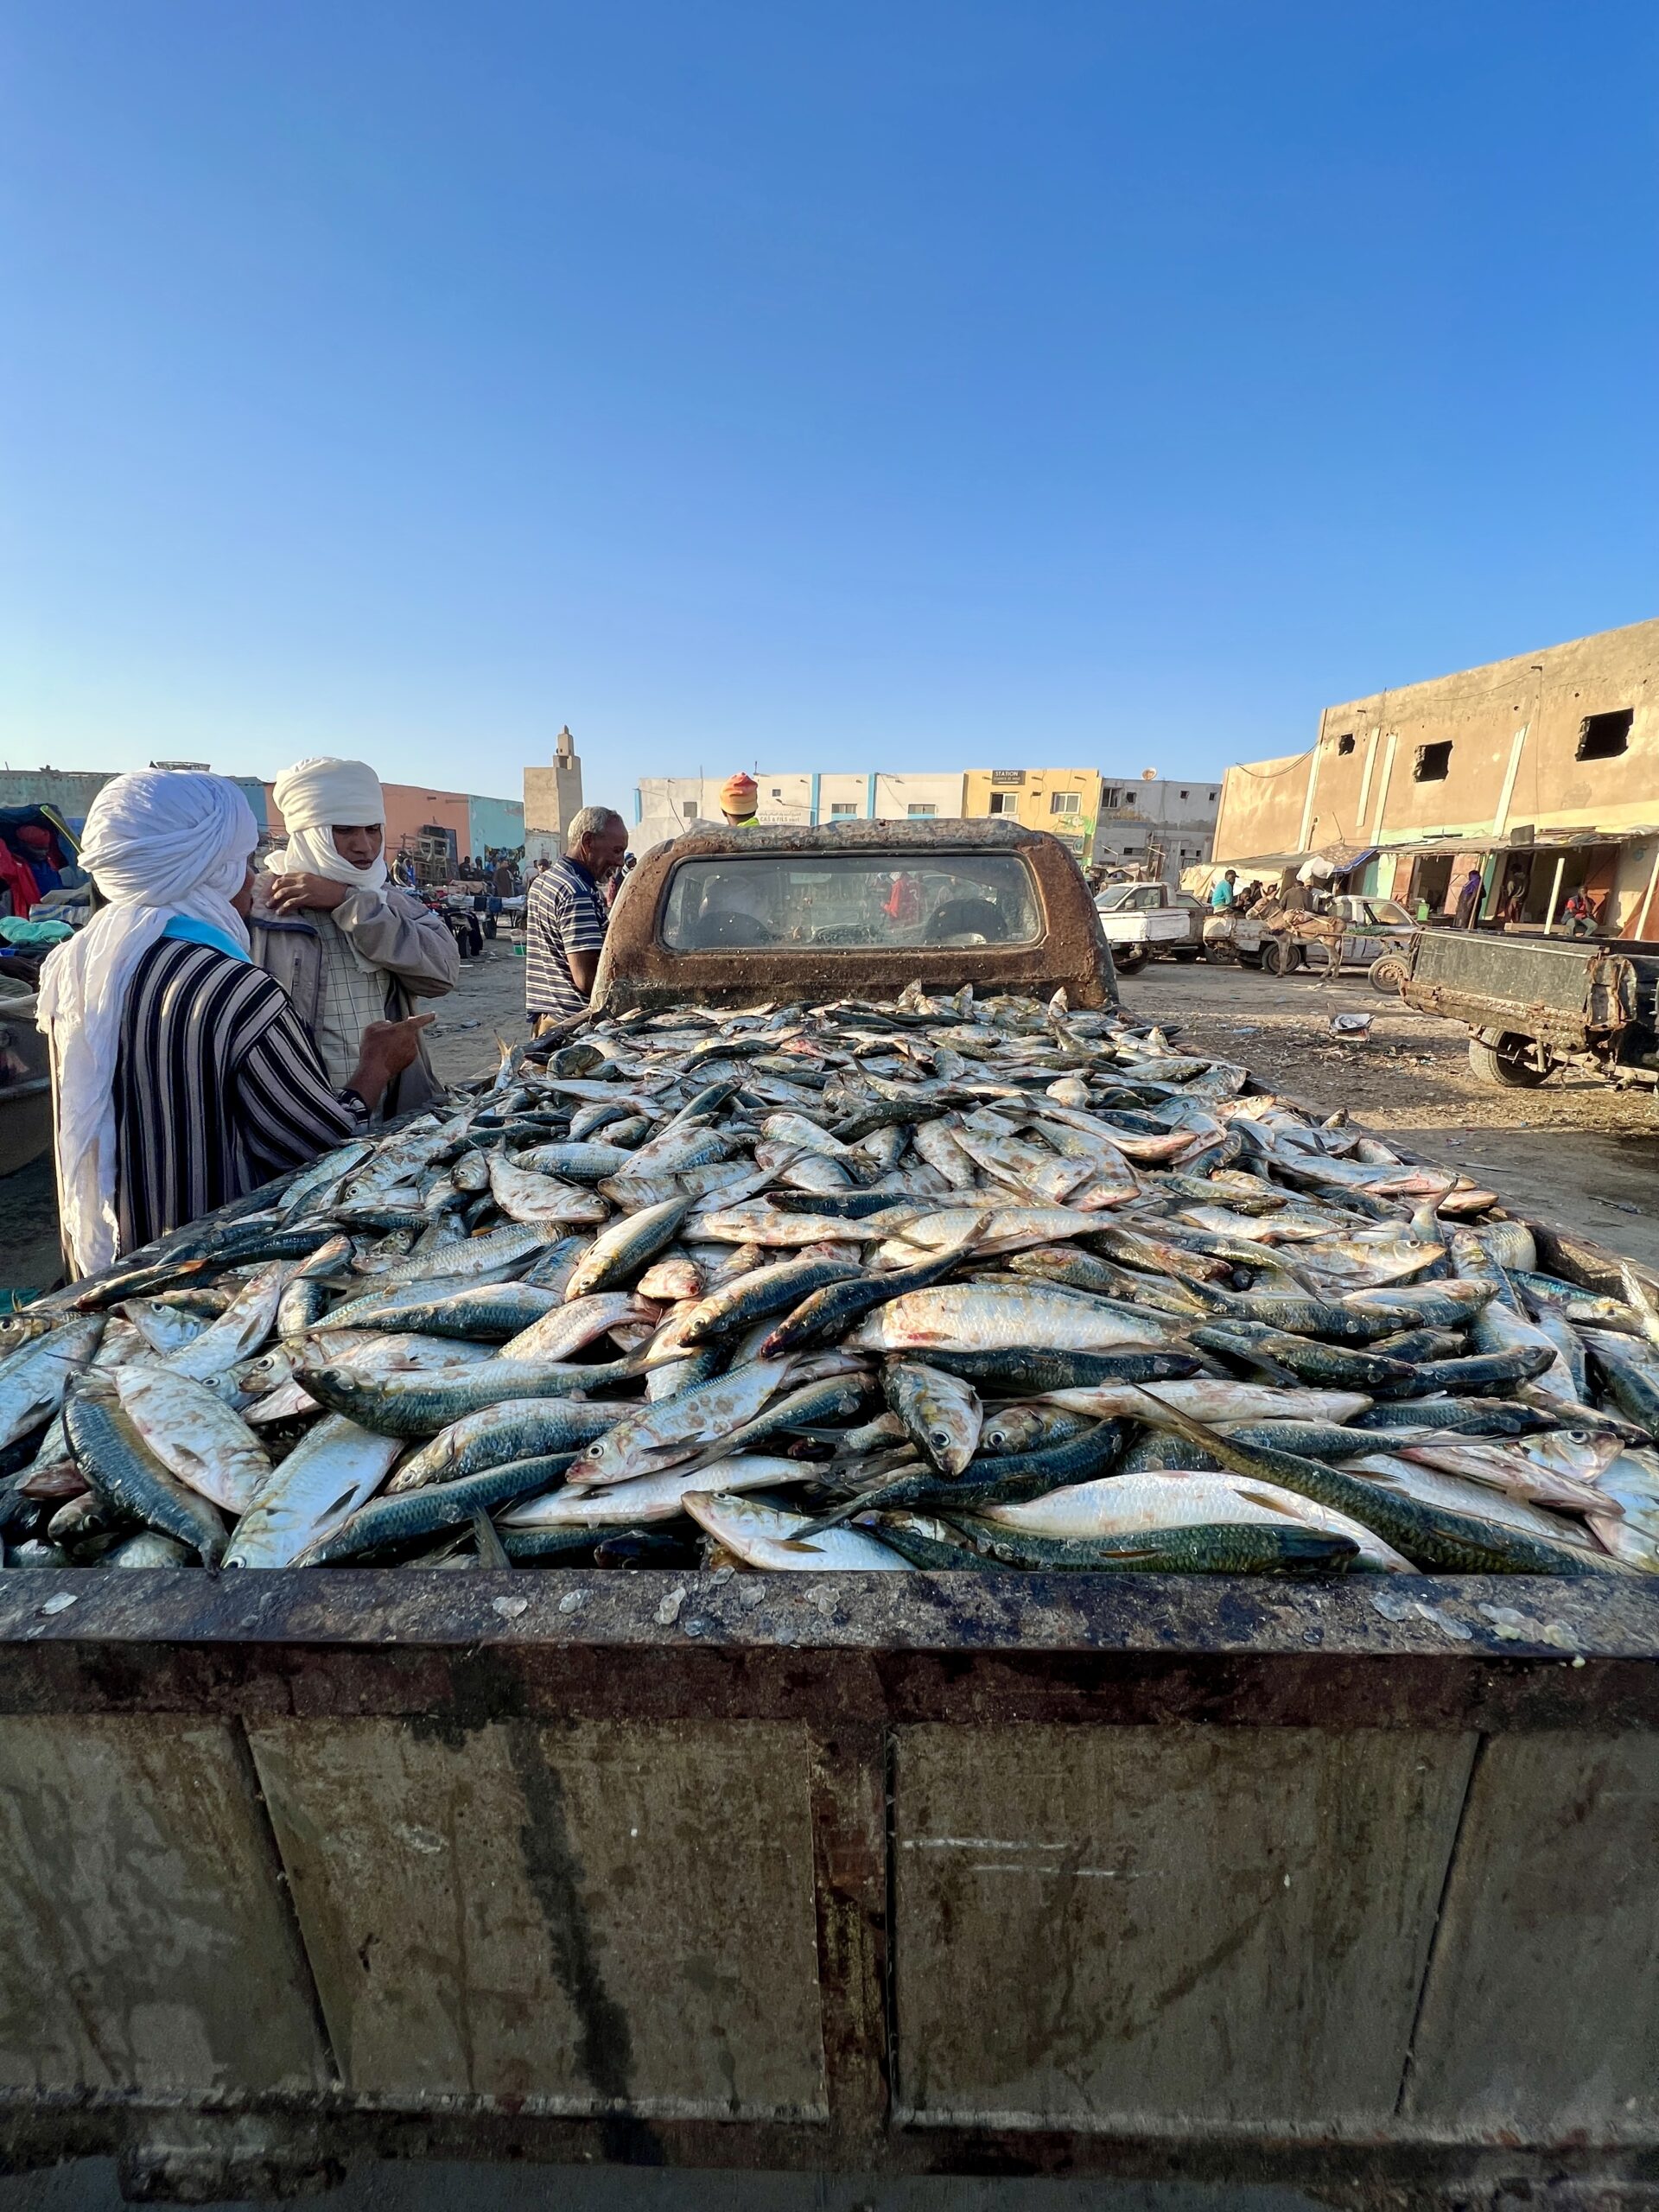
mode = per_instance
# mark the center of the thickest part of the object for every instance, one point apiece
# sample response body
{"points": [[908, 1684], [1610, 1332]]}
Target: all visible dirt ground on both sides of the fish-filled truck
{"points": [[1572, 1154]]}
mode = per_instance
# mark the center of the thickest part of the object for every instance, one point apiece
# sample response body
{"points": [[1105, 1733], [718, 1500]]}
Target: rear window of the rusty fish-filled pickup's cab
{"points": [[859, 901]]}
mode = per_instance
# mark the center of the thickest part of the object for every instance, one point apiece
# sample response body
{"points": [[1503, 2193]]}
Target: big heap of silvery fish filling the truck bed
{"points": [[932, 1284]]}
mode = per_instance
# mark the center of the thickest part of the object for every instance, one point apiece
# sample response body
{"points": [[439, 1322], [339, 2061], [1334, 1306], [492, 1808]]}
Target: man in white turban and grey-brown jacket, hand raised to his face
{"points": [[348, 946]]}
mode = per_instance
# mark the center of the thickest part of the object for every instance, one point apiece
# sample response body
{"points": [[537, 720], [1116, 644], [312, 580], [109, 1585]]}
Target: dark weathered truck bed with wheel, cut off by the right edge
{"points": [[1541, 1003]]}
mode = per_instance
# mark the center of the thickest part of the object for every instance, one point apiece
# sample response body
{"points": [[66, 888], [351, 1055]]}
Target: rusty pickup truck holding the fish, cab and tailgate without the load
{"points": [[1129, 1877]]}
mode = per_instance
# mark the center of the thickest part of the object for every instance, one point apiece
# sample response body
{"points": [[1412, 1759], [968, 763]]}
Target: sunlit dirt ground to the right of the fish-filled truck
{"points": [[1572, 1154]]}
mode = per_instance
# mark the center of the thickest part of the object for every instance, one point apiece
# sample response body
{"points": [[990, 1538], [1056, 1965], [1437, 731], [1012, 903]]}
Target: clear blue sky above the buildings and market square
{"points": [[866, 386]]}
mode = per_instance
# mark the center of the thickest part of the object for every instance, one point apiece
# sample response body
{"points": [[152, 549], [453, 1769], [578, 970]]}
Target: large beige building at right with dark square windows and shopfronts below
{"points": [[1543, 771]]}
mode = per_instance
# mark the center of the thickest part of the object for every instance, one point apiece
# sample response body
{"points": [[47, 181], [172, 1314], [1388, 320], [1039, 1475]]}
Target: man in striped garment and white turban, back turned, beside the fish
{"points": [[180, 1072]]}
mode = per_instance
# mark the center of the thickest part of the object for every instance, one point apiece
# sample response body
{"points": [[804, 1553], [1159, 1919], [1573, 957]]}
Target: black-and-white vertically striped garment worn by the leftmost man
{"points": [[218, 1089]]}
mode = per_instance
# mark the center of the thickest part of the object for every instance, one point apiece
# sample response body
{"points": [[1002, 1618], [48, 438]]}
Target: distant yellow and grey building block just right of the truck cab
{"points": [[1149, 822]]}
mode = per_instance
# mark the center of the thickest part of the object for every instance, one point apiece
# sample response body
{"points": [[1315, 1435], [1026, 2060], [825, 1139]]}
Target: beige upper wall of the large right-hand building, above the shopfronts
{"points": [[1514, 731]]}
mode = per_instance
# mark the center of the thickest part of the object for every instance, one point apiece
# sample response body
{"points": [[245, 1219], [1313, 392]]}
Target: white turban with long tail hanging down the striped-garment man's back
{"points": [[156, 844]]}
